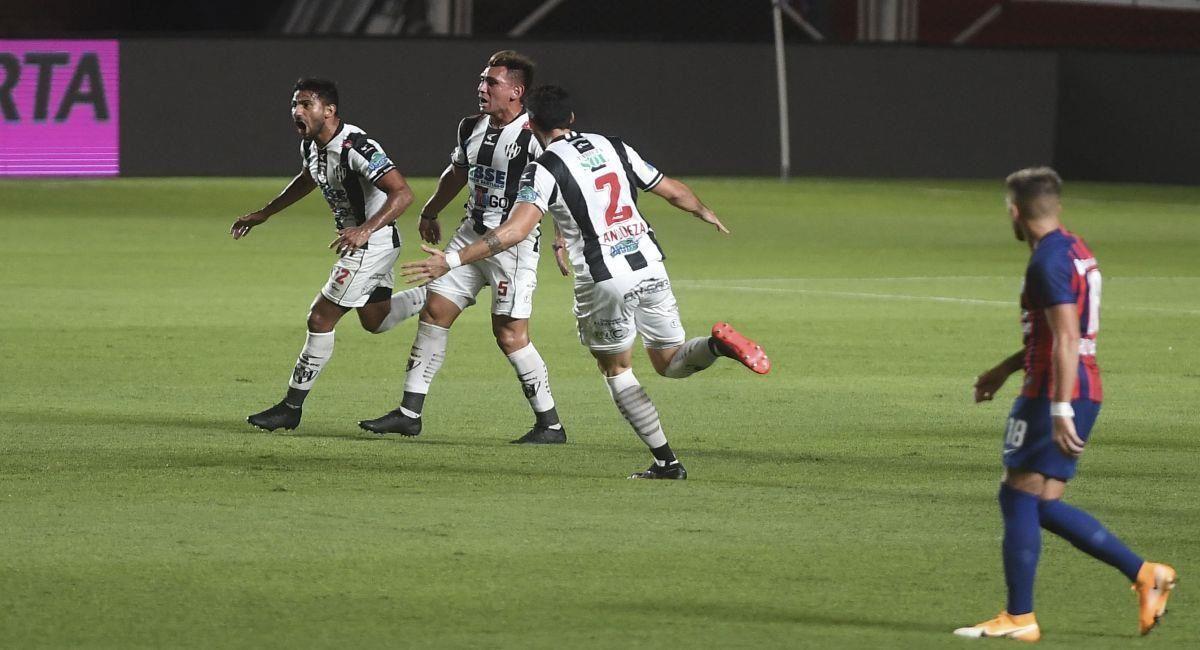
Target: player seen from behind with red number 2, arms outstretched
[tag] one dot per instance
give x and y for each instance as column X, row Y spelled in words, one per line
column 590, row 185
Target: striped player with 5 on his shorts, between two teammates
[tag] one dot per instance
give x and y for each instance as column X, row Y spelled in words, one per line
column 494, row 147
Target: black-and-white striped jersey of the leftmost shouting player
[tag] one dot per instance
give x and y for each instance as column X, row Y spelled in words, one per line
column 346, row 171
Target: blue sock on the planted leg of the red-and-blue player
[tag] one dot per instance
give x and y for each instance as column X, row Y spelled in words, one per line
column 1022, row 547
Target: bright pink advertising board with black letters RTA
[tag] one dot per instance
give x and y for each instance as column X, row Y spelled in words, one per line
column 59, row 109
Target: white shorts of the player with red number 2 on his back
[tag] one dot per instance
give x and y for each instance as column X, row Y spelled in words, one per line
column 611, row 314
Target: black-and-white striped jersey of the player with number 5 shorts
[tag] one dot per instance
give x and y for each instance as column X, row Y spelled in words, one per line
column 494, row 159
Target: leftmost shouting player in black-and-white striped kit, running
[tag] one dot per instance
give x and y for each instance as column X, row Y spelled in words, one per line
column 367, row 194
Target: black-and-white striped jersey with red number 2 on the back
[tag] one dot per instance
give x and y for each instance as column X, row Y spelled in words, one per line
column 590, row 184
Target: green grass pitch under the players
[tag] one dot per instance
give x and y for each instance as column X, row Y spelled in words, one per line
column 845, row 501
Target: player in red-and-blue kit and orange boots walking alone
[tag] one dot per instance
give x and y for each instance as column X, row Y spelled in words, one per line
column 1053, row 418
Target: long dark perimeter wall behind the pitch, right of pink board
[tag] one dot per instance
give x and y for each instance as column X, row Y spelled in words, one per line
column 220, row 107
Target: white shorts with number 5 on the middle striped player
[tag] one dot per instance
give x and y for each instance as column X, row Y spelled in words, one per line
column 513, row 276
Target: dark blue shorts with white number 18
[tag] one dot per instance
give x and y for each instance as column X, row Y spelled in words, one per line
column 1028, row 437
